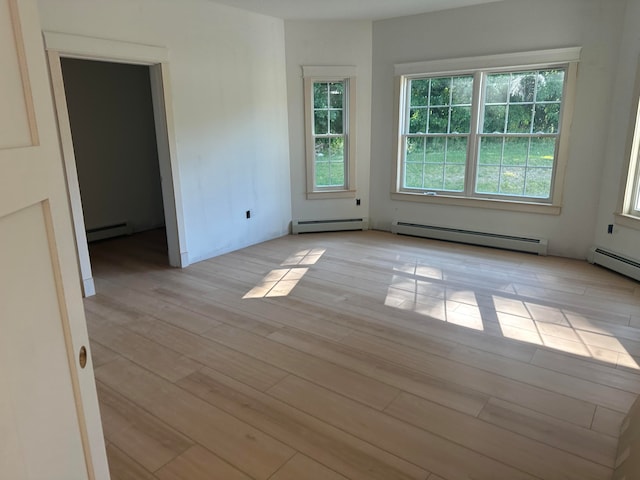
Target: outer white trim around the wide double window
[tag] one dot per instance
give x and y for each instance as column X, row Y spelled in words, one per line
column 568, row 57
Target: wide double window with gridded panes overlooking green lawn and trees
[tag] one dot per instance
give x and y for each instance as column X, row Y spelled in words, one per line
column 484, row 133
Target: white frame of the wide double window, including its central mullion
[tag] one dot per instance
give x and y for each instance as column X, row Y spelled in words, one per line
column 477, row 67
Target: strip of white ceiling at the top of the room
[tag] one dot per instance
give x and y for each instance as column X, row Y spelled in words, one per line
column 346, row 9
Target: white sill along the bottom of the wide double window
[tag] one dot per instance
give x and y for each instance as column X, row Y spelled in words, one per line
column 488, row 203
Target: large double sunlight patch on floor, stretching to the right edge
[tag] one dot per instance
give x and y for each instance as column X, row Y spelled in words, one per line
column 522, row 320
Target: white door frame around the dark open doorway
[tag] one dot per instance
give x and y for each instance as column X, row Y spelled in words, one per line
column 59, row 45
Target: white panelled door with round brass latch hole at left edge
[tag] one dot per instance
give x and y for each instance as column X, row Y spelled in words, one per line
column 49, row 420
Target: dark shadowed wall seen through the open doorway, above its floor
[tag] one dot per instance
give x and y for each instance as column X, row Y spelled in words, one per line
column 111, row 116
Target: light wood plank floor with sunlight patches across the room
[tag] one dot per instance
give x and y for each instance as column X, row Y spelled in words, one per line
column 361, row 356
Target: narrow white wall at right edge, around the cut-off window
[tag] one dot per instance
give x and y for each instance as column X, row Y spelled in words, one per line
column 624, row 240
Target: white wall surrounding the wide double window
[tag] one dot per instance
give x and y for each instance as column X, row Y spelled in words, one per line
column 510, row 26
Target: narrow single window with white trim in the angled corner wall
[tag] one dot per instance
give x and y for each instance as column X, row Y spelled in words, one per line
column 330, row 128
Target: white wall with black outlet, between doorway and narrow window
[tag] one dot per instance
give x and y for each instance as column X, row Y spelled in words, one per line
column 227, row 70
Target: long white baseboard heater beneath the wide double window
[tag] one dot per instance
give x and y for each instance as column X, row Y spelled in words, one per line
column 495, row 240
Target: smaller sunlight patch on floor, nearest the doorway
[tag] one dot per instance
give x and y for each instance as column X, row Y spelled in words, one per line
column 280, row 282
